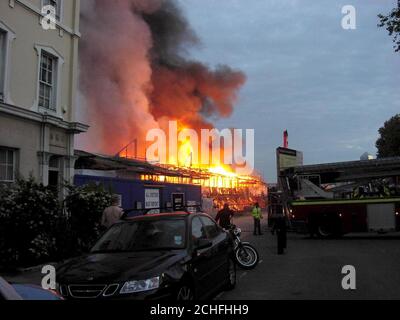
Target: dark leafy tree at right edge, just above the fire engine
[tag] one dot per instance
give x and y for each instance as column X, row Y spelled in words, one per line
column 388, row 144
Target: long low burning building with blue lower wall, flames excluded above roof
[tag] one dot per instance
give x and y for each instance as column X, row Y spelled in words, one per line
column 131, row 179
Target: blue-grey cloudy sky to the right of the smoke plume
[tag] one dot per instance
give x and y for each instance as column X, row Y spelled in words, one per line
column 331, row 88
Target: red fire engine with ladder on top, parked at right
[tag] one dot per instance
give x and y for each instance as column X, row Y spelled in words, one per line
column 337, row 198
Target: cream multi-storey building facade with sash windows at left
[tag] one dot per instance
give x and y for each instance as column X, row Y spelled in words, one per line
column 38, row 90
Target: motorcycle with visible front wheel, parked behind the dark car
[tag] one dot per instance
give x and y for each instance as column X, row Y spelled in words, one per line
column 246, row 255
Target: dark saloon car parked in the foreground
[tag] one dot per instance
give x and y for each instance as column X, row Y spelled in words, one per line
column 172, row 256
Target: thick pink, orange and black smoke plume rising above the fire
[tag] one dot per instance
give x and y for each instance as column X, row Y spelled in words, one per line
column 135, row 73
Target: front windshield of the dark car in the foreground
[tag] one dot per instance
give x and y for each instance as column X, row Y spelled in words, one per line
column 143, row 235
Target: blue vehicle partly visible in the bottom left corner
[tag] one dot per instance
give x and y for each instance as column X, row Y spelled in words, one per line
column 25, row 292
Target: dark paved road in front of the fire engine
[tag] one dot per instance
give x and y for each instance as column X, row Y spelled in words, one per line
column 311, row 268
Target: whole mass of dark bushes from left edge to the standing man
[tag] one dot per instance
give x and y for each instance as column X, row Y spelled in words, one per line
column 36, row 227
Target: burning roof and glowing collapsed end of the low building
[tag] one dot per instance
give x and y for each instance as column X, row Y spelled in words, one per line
column 240, row 191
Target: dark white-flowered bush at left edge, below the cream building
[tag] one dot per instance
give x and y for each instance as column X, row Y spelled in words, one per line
column 29, row 214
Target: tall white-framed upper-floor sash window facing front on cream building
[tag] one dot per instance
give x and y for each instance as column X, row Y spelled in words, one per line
column 47, row 81
